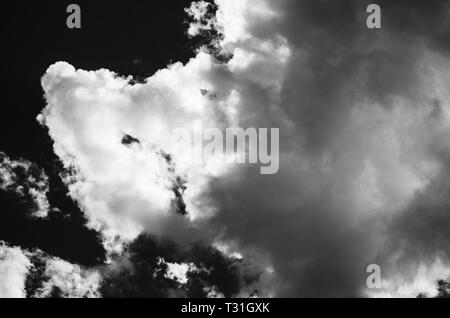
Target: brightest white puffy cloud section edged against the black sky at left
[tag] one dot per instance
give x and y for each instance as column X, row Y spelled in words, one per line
column 128, row 189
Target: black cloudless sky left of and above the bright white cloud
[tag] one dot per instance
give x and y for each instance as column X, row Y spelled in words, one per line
column 131, row 39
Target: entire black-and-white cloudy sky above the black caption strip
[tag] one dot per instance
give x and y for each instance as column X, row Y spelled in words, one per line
column 97, row 197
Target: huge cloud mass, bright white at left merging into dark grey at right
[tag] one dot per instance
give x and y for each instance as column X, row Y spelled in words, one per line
column 364, row 119
